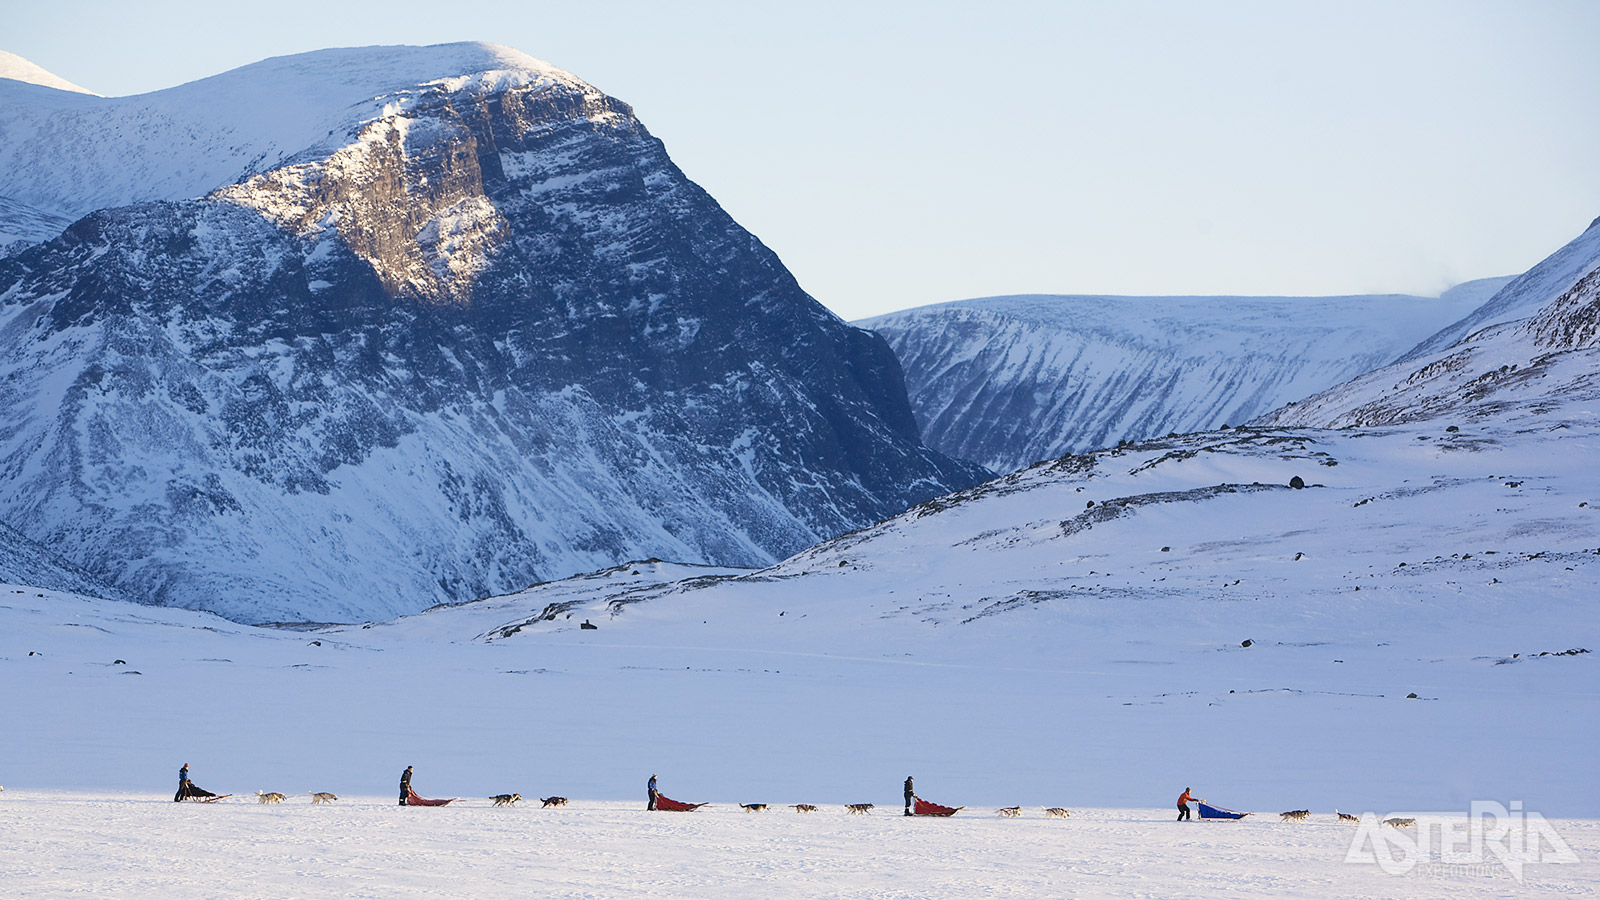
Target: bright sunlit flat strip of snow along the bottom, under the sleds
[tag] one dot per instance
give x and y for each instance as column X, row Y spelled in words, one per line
column 146, row 846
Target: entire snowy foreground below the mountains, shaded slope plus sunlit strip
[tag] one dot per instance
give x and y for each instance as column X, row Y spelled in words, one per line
column 1007, row 646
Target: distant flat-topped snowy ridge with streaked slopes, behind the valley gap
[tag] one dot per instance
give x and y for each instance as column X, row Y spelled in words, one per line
column 1014, row 380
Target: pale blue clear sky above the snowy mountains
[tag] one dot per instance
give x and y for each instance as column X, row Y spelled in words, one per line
column 898, row 155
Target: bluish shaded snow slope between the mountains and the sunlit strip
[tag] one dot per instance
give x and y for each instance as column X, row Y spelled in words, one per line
column 1406, row 632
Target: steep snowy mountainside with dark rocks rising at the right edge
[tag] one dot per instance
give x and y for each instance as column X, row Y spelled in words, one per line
column 1534, row 345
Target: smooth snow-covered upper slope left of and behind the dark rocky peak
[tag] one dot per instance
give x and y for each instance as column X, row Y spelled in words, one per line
column 71, row 153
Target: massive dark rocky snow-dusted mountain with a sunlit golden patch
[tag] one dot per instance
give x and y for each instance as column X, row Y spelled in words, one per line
column 446, row 321
